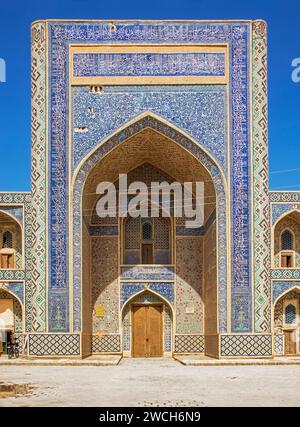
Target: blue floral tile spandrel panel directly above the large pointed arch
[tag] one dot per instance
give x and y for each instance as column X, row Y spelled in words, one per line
column 116, row 106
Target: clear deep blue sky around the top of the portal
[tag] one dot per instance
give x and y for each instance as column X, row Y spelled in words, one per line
column 283, row 42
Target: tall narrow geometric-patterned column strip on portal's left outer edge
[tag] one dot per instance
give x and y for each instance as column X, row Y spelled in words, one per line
column 38, row 175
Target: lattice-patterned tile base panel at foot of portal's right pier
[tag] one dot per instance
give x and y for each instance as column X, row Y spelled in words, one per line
column 246, row 345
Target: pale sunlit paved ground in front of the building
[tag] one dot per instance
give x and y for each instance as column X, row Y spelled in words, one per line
column 156, row 382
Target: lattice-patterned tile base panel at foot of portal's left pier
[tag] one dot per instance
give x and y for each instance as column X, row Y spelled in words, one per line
column 54, row 344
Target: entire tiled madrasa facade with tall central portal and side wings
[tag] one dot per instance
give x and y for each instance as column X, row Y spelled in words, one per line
column 161, row 101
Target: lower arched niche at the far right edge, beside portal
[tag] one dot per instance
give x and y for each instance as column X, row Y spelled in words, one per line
column 287, row 323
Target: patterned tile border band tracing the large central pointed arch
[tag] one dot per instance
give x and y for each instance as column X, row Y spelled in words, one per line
column 190, row 147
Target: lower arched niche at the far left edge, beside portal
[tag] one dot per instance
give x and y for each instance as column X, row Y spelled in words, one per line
column 11, row 318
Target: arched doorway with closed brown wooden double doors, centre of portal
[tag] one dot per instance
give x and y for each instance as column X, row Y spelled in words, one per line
column 147, row 326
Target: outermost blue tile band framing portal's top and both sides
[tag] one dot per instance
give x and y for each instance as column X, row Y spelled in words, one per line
column 61, row 35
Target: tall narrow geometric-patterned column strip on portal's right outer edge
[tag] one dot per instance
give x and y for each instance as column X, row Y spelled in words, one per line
column 261, row 253
